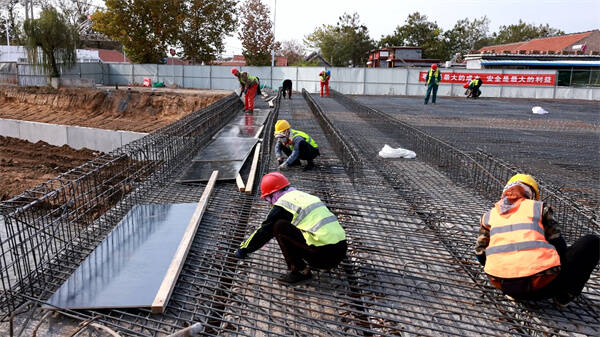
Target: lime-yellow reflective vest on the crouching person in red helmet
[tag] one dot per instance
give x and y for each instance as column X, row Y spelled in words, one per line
column 318, row 225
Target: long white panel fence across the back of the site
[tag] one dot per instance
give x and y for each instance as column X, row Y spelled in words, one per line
column 361, row 81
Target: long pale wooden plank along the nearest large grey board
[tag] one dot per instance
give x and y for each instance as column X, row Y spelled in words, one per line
column 166, row 287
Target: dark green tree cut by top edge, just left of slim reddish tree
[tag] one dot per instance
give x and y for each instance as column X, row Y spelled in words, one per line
column 204, row 28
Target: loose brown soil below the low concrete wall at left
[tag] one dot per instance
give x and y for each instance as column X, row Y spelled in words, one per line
column 24, row 165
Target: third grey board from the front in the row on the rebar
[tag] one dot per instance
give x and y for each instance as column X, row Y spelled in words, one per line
column 226, row 149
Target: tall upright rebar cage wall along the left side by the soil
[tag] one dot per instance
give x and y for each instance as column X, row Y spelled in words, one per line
column 51, row 228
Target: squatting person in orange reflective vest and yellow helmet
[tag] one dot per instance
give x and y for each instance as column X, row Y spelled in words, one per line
column 523, row 252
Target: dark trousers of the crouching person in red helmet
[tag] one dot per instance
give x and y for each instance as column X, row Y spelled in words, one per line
column 297, row 252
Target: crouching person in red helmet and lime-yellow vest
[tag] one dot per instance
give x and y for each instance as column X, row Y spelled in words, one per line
column 308, row 234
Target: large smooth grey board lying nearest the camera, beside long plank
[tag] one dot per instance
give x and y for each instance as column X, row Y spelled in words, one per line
column 127, row 269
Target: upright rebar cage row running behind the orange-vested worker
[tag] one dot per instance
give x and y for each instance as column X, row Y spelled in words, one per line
column 482, row 172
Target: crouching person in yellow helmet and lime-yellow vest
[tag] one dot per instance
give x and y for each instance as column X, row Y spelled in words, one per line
column 295, row 145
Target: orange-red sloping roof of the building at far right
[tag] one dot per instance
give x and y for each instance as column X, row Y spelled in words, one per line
column 554, row 43
